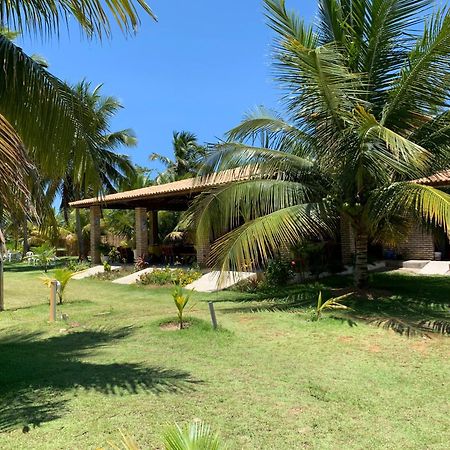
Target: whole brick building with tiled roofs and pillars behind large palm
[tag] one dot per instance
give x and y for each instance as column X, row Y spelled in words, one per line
column 420, row 243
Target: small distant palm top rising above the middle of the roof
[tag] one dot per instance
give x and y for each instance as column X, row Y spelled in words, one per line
column 188, row 154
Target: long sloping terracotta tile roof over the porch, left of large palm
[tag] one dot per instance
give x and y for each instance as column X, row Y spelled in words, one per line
column 182, row 187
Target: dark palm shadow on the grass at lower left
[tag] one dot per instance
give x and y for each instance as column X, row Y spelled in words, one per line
column 37, row 372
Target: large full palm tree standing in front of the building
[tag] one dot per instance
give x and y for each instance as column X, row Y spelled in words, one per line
column 366, row 101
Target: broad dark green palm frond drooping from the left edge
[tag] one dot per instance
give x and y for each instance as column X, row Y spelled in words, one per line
column 46, row 114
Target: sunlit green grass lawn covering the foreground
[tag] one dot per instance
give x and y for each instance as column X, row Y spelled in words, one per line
column 268, row 379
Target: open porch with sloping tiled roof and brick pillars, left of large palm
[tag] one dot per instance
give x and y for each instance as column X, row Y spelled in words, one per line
column 146, row 203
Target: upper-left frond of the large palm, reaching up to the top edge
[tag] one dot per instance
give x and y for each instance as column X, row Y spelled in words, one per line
column 319, row 84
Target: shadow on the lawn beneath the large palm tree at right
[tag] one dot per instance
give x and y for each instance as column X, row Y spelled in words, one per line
column 405, row 304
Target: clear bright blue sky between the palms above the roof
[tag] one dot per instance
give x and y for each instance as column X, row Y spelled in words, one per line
column 199, row 68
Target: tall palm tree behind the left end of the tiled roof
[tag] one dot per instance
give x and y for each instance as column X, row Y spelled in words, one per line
column 107, row 169
